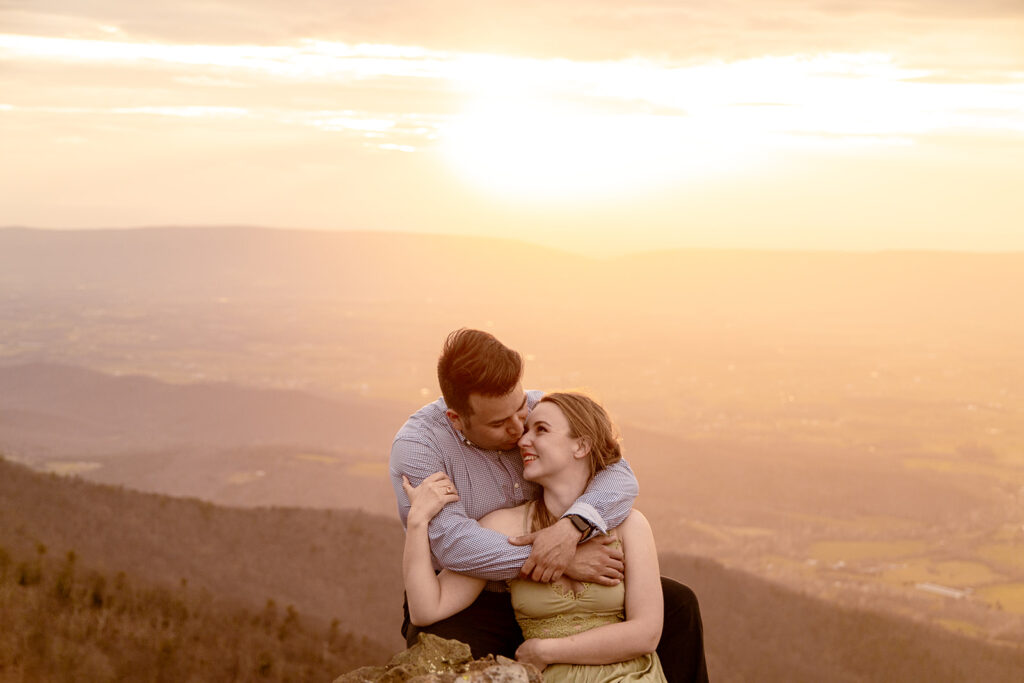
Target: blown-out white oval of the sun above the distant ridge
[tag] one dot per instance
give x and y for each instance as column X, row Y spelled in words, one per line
column 541, row 150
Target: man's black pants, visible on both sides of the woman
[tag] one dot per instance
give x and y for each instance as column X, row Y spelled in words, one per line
column 489, row 627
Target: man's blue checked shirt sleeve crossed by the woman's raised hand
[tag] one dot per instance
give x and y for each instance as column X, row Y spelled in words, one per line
column 457, row 541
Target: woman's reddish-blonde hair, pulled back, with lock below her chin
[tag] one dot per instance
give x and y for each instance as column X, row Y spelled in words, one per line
column 589, row 421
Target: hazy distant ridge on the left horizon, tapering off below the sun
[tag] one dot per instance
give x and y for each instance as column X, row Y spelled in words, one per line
column 242, row 263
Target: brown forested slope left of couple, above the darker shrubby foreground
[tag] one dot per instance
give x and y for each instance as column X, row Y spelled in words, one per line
column 328, row 565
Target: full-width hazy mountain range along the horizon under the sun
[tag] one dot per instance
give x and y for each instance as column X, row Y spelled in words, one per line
column 283, row 266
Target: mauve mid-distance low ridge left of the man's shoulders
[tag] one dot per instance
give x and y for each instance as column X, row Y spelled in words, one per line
column 99, row 414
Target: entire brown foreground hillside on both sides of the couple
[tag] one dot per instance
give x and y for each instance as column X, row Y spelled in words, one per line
column 186, row 587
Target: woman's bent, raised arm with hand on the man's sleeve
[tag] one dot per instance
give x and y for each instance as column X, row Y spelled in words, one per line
column 432, row 597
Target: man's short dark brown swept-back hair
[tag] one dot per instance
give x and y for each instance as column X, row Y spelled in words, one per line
column 475, row 362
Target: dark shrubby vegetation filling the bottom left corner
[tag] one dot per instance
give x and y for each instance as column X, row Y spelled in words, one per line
column 61, row 621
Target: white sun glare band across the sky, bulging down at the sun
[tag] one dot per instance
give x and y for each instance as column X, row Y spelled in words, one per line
column 545, row 131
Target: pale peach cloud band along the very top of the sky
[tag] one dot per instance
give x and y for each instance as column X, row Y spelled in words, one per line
column 928, row 32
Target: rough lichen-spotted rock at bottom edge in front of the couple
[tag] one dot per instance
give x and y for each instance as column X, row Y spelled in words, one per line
column 436, row 660
